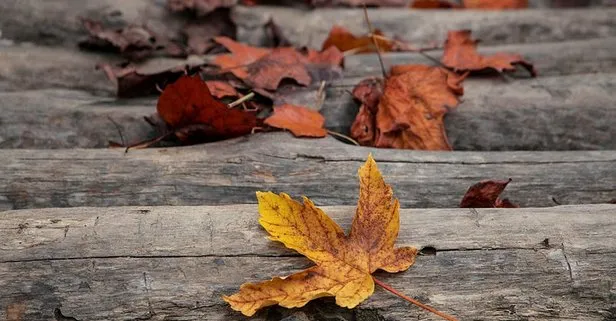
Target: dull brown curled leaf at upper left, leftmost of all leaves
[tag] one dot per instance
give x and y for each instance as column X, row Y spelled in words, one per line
column 133, row 42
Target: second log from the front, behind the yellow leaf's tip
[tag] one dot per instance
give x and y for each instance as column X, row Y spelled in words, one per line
column 230, row 172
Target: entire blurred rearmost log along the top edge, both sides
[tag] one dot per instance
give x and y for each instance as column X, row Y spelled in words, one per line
column 55, row 22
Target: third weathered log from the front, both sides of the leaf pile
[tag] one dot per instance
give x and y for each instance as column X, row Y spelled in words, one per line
column 552, row 113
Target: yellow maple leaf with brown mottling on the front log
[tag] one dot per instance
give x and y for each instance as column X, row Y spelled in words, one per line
column 344, row 264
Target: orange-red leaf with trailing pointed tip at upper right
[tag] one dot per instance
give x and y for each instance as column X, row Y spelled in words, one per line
column 461, row 54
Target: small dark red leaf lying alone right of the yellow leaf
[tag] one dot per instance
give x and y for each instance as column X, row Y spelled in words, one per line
column 485, row 194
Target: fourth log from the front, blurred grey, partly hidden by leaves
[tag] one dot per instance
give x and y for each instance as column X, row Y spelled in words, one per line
column 21, row 66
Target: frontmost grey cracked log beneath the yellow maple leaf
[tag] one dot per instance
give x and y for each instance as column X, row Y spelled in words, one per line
column 171, row 263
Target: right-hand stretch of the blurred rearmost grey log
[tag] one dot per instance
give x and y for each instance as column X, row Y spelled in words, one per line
column 421, row 26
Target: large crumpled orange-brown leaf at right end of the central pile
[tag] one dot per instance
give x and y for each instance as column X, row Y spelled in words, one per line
column 410, row 112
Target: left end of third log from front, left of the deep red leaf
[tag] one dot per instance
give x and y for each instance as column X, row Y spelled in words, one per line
column 61, row 118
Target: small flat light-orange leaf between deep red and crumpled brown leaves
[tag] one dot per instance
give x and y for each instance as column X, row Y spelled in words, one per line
column 301, row 121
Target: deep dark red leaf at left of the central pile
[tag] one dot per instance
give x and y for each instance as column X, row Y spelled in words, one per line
column 188, row 102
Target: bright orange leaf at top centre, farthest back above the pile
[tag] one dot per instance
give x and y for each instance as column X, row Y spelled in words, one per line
column 344, row 40
